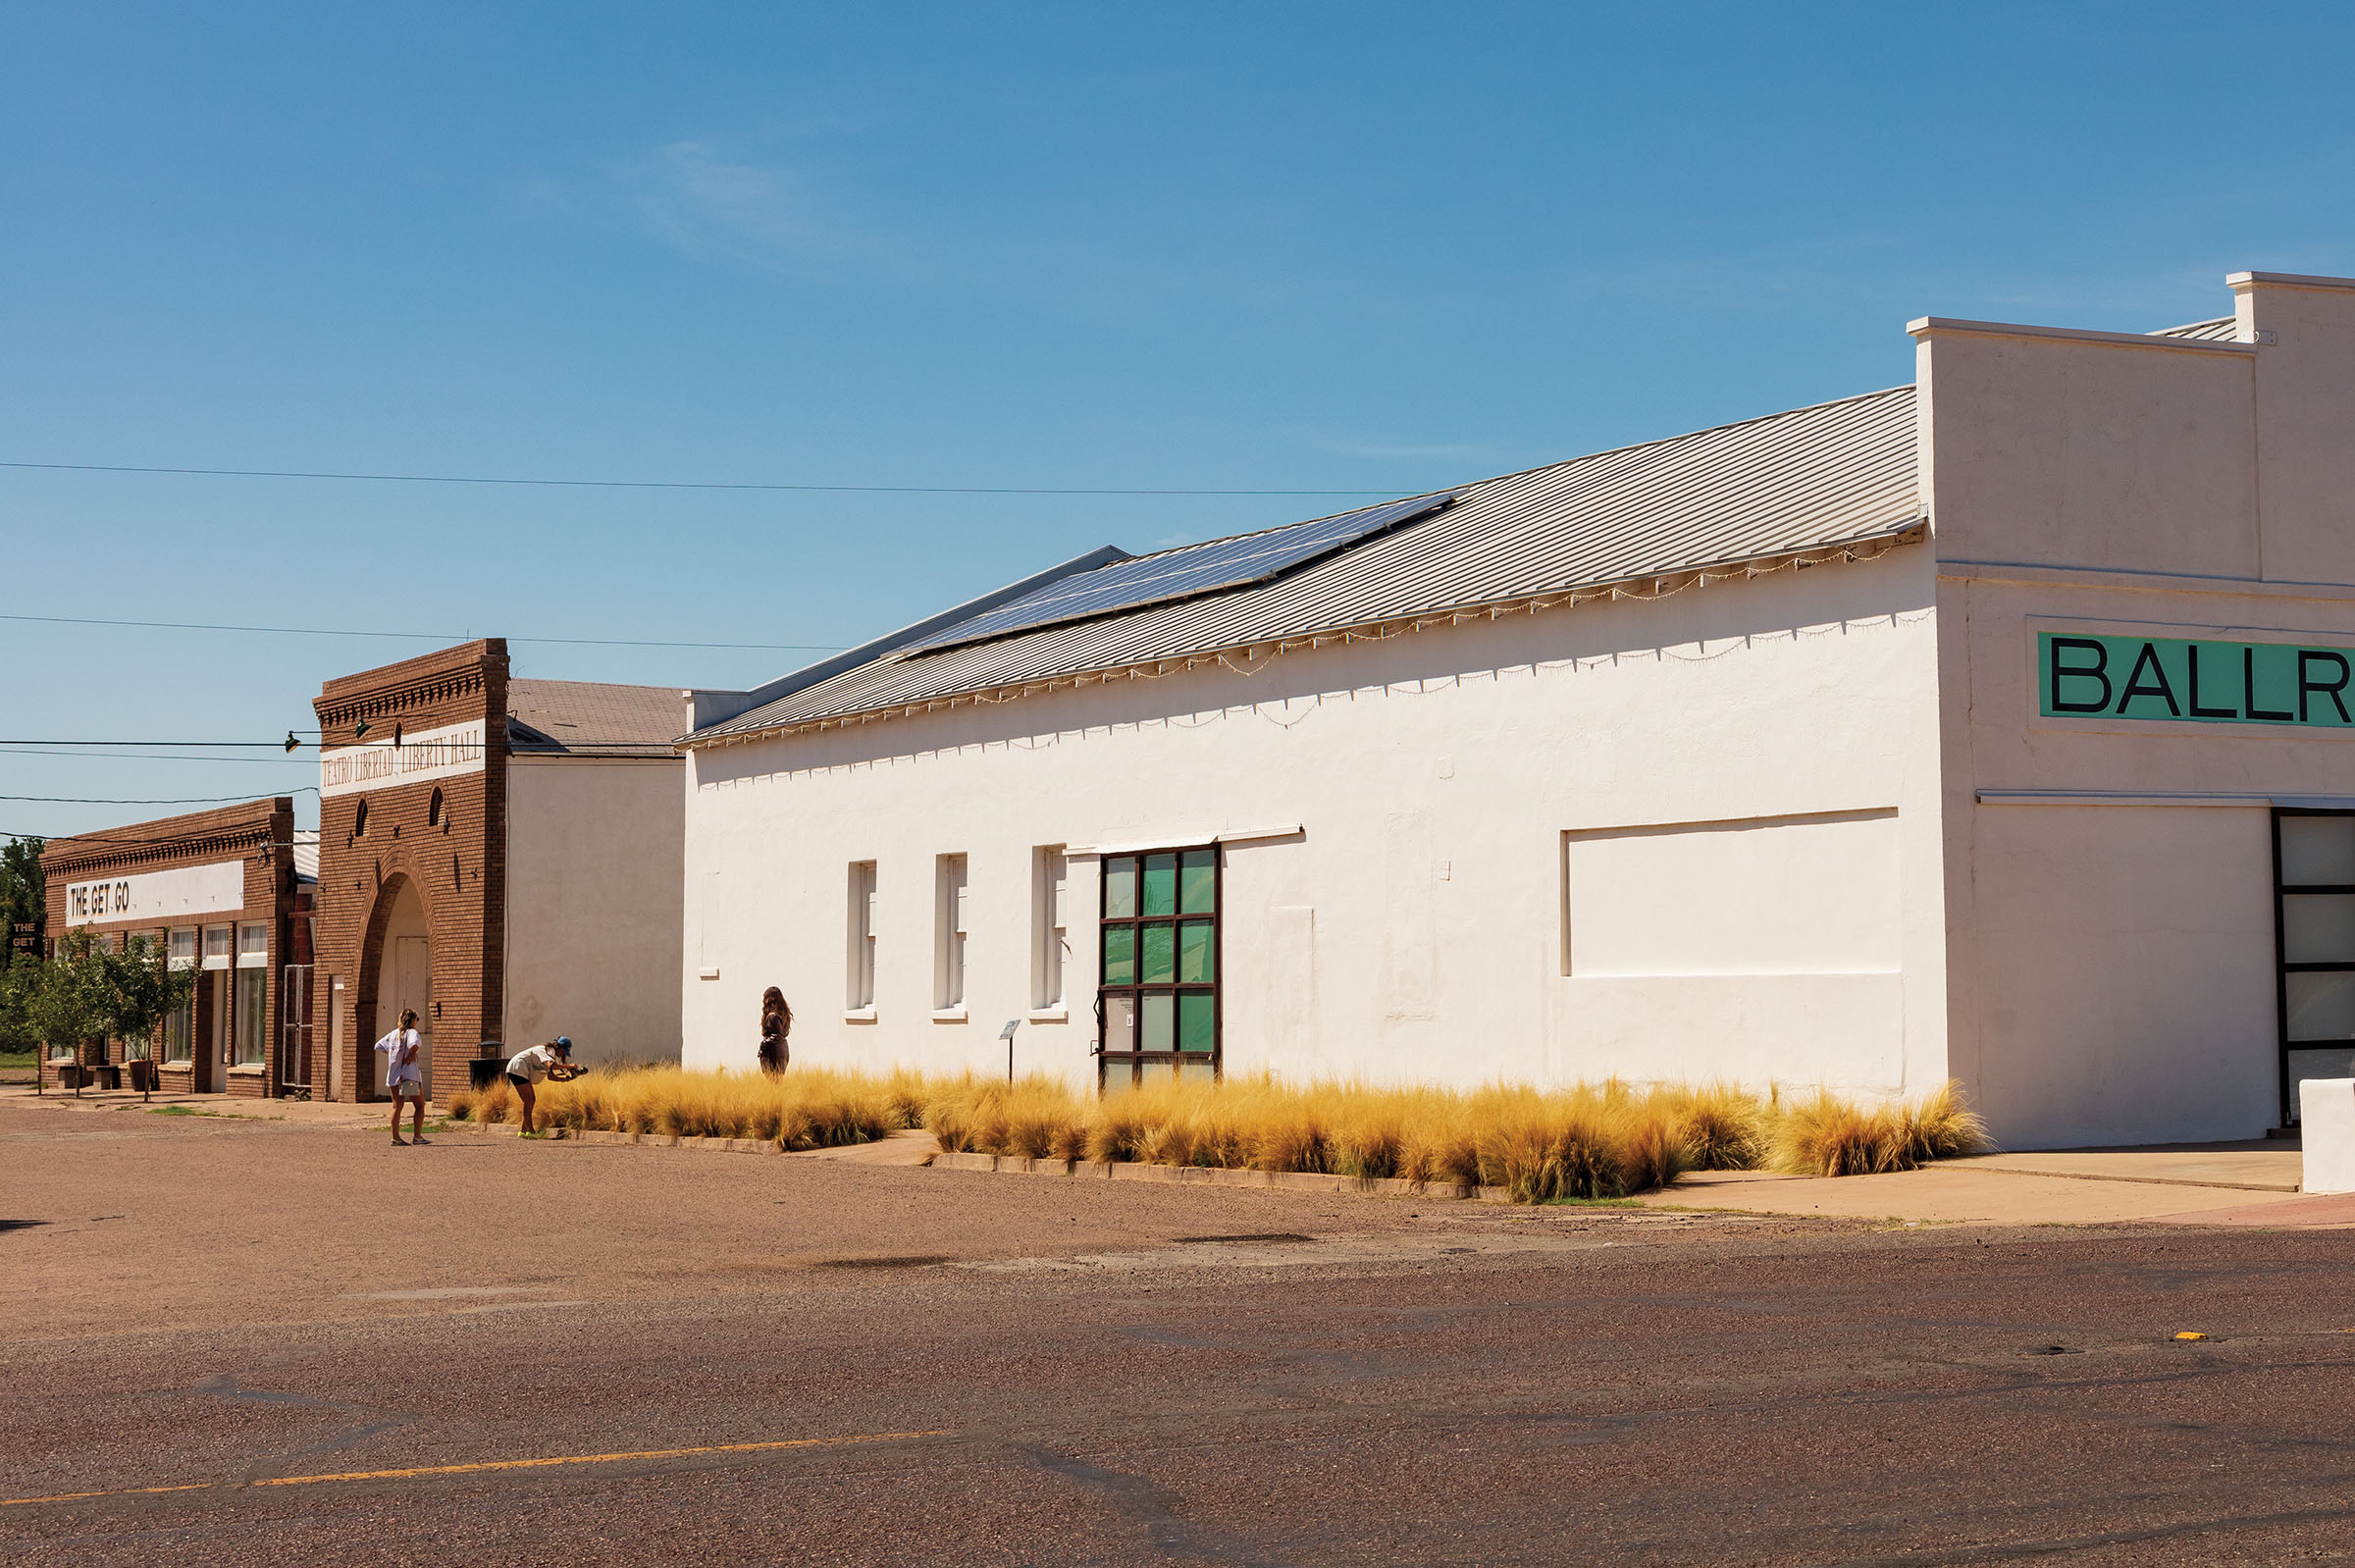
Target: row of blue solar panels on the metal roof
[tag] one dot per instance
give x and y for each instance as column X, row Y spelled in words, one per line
column 1188, row 573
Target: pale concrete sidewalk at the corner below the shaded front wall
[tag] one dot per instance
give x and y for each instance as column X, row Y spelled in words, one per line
column 2238, row 1185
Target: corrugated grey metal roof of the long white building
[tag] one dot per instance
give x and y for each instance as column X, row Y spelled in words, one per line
column 1807, row 479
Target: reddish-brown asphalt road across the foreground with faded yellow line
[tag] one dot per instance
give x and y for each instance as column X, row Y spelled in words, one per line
column 818, row 1362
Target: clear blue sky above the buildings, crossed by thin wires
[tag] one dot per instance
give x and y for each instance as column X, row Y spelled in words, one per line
column 1190, row 248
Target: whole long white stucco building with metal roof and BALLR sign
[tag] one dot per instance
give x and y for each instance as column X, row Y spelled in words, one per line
column 1991, row 729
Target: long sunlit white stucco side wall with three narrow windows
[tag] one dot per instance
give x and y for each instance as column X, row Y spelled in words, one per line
column 1414, row 926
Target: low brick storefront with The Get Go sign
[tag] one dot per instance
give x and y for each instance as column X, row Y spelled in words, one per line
column 227, row 898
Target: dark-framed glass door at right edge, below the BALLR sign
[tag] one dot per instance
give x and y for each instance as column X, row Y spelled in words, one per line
column 2314, row 889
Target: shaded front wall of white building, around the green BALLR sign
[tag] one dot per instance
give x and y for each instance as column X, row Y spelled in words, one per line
column 2114, row 957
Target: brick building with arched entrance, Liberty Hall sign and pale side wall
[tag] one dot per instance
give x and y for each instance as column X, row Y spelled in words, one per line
column 500, row 856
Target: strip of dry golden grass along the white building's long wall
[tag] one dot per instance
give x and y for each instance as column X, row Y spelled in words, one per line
column 1539, row 1145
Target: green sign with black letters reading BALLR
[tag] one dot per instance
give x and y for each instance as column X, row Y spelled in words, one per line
column 2220, row 684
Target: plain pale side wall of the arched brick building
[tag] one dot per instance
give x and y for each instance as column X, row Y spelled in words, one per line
column 592, row 917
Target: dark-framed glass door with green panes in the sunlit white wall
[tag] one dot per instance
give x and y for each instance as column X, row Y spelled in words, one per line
column 1157, row 1002
